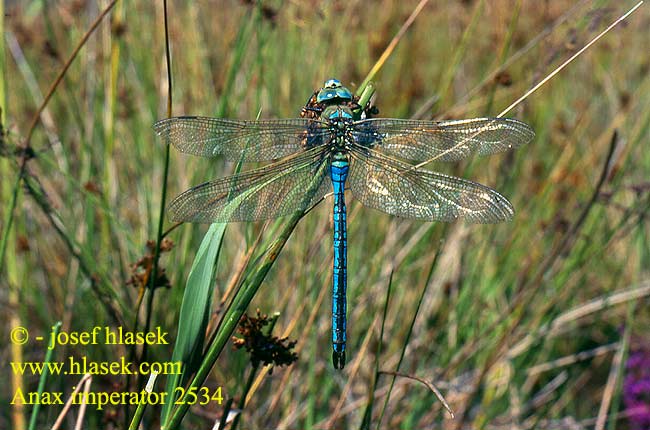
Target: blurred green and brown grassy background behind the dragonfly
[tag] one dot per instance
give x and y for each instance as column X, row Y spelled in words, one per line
column 520, row 325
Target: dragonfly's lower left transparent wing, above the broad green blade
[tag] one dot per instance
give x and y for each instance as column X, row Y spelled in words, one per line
column 279, row 189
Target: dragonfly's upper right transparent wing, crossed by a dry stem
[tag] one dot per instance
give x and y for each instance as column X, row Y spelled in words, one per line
column 441, row 140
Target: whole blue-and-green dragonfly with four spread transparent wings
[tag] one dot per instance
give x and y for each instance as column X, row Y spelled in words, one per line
column 335, row 146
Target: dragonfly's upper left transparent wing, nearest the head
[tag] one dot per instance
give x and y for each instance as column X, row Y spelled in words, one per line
column 241, row 140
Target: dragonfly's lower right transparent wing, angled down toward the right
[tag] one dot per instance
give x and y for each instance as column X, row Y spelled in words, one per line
column 394, row 187
